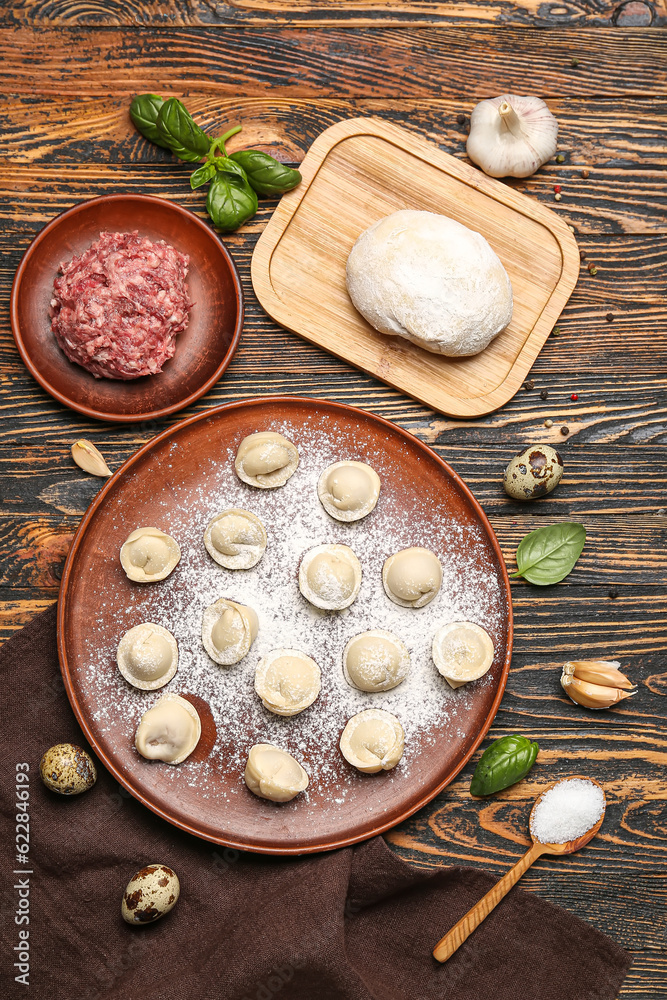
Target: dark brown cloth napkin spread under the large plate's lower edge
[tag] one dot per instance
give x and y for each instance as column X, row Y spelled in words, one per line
column 353, row 924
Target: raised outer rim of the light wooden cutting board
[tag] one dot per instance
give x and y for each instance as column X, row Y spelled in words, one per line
column 438, row 399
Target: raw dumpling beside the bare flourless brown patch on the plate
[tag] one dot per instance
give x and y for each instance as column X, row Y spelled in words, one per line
column 168, row 731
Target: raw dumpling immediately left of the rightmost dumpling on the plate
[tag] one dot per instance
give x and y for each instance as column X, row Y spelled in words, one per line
column 375, row 661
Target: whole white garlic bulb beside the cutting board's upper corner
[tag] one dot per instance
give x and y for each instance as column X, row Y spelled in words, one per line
column 511, row 136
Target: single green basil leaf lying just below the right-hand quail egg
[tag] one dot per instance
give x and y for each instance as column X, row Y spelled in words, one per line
column 548, row 554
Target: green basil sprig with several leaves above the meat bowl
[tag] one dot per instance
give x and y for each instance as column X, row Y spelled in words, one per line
column 235, row 180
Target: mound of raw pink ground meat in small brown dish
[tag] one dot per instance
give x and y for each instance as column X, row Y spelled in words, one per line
column 117, row 308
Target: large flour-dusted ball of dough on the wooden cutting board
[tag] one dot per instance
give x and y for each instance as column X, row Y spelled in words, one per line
column 427, row 278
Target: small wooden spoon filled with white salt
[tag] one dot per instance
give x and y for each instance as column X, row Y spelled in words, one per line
column 453, row 940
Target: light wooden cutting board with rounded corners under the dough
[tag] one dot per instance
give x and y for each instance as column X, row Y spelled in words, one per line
column 362, row 169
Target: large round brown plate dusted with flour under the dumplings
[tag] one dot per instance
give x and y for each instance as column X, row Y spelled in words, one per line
column 178, row 482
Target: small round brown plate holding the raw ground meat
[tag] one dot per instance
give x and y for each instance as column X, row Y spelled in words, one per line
column 203, row 350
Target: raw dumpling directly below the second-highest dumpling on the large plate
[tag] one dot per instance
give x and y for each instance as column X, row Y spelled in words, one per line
column 330, row 576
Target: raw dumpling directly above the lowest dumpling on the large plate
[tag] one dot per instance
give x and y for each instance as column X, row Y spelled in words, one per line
column 287, row 681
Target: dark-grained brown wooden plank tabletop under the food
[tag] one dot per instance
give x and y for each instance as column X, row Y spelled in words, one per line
column 286, row 71
